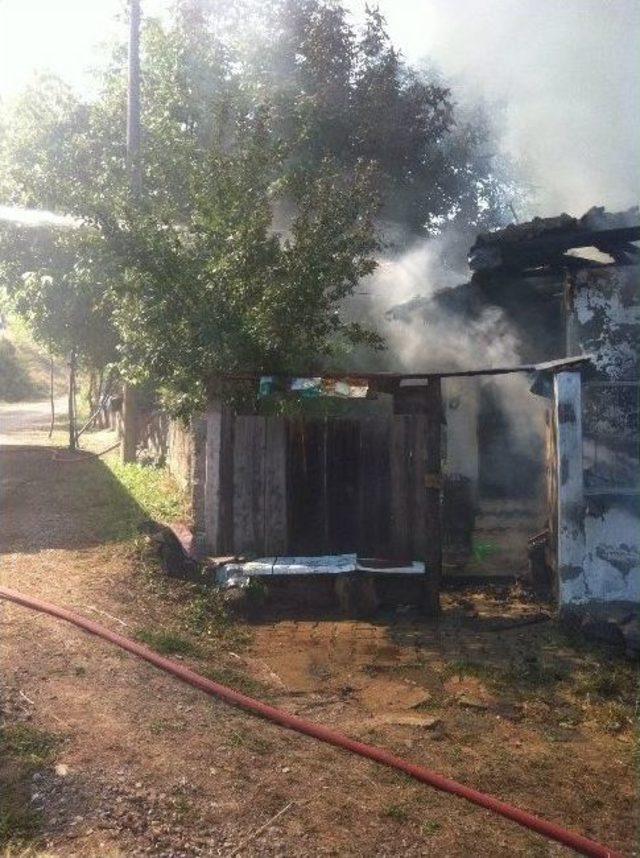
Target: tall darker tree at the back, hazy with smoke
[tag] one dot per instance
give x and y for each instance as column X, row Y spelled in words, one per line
column 335, row 91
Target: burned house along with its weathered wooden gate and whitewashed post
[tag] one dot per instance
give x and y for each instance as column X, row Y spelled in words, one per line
column 397, row 479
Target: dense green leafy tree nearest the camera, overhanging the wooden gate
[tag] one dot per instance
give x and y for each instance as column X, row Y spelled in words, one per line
column 226, row 293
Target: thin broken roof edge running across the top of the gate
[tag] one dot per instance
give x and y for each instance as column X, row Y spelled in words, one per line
column 546, row 366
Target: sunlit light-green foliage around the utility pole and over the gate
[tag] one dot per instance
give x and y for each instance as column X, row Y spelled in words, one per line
column 201, row 282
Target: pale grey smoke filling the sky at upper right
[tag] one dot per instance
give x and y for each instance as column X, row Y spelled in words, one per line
column 566, row 73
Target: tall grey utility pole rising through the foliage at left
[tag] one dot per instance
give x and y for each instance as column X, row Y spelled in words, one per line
column 128, row 449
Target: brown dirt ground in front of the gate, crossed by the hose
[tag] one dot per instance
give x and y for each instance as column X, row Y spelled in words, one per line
column 141, row 765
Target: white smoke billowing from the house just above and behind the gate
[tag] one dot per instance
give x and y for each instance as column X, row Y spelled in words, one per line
column 422, row 335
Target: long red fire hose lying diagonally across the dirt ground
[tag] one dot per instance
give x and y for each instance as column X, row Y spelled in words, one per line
column 554, row 832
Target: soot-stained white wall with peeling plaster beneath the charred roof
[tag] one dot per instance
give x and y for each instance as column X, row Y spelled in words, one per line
column 604, row 320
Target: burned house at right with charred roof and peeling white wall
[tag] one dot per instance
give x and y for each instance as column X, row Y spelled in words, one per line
column 570, row 287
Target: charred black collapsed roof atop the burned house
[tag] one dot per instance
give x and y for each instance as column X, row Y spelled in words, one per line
column 547, row 243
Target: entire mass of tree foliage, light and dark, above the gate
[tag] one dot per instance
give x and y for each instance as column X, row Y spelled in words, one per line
column 278, row 143
